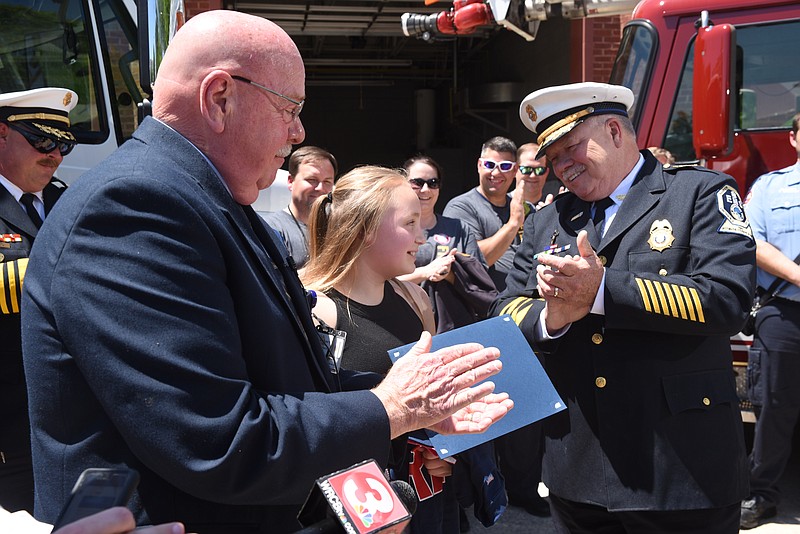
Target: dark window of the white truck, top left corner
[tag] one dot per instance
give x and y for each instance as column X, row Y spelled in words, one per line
column 45, row 44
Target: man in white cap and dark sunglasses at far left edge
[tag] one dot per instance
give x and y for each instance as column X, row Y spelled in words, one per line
column 34, row 138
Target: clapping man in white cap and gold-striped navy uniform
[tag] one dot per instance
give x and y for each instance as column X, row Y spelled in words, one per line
column 629, row 286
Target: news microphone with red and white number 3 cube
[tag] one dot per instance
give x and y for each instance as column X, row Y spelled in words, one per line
column 358, row 500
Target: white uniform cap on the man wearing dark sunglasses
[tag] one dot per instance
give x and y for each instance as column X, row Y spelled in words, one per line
column 45, row 110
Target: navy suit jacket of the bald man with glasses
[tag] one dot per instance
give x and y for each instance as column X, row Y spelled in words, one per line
column 171, row 342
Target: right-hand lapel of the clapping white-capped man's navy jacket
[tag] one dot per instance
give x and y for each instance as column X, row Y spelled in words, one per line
column 641, row 197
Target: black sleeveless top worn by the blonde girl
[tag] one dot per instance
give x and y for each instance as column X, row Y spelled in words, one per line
column 373, row 330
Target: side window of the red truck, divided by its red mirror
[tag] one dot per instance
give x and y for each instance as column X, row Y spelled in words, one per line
column 767, row 80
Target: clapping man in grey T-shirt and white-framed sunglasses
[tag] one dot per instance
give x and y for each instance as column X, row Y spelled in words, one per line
column 494, row 216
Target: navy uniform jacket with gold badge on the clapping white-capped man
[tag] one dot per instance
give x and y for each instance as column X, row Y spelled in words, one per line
column 653, row 420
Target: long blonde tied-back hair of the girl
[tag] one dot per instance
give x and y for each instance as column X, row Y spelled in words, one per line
column 343, row 223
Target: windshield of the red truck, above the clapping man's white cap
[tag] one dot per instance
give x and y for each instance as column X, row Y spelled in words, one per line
column 633, row 61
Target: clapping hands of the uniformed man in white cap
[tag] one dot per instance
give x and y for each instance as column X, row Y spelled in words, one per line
column 569, row 284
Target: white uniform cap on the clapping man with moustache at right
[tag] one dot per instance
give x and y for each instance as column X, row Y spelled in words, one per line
column 553, row 112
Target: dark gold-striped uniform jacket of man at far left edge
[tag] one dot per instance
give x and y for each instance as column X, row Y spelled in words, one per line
column 15, row 247
